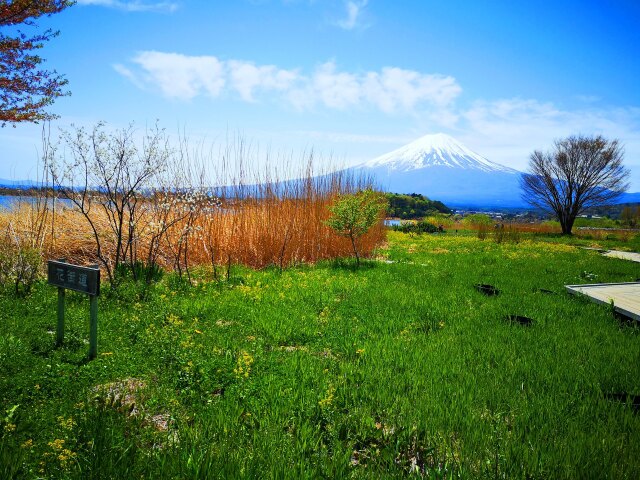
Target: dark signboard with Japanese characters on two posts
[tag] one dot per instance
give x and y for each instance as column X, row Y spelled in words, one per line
column 81, row 279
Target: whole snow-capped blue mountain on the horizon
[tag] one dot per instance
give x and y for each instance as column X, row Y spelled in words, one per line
column 441, row 168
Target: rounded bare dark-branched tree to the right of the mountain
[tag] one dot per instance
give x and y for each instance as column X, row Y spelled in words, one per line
column 580, row 172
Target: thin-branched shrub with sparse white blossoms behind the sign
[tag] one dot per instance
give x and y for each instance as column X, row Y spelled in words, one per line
column 106, row 178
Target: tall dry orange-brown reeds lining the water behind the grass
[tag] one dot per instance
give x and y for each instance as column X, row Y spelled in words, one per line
column 197, row 214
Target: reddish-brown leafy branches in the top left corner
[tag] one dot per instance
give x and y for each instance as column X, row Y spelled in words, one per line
column 26, row 89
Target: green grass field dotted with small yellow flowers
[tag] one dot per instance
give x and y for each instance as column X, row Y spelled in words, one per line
column 392, row 370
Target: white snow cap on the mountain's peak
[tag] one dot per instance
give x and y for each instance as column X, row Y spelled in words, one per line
column 437, row 150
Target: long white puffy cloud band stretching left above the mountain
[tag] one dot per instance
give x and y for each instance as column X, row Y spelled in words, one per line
column 390, row 90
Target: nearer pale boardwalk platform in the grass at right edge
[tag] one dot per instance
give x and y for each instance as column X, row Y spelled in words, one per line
column 625, row 296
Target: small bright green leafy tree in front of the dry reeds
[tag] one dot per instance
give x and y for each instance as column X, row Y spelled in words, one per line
column 353, row 215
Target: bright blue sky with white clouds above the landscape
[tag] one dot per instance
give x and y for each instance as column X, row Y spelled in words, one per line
column 351, row 79
